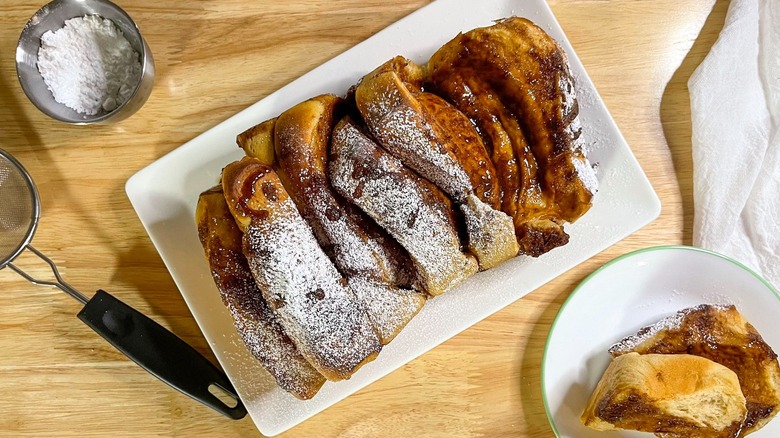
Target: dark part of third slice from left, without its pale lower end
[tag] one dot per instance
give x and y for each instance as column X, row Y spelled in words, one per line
column 356, row 244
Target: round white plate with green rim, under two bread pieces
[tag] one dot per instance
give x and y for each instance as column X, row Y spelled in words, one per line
column 629, row 293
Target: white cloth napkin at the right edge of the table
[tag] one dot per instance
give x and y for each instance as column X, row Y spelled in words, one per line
column 735, row 111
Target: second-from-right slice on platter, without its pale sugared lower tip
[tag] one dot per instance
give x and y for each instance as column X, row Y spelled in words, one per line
column 425, row 132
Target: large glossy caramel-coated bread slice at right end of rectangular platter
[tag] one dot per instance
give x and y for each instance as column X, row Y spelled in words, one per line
column 512, row 80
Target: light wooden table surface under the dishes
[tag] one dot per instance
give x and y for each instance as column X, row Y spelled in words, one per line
column 216, row 57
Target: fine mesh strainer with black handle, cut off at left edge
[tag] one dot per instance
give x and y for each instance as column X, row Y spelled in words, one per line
column 144, row 341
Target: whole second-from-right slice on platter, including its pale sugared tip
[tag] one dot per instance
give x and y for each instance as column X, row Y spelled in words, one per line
column 435, row 139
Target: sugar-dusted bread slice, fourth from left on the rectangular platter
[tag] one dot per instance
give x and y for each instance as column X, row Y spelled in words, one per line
column 396, row 199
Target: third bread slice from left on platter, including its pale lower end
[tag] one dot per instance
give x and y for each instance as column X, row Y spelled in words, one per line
column 376, row 267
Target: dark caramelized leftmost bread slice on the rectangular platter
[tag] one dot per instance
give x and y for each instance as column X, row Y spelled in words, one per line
column 255, row 322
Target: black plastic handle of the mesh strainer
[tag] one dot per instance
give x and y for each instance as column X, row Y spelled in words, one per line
column 159, row 351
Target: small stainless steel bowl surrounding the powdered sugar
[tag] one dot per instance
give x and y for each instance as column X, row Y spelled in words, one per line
column 53, row 17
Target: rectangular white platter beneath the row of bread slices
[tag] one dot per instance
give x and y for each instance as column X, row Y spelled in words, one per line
column 164, row 195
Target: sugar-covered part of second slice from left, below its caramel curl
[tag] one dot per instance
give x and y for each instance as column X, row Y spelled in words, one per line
column 308, row 294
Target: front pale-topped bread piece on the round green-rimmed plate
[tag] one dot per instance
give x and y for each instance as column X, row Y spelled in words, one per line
column 667, row 394
